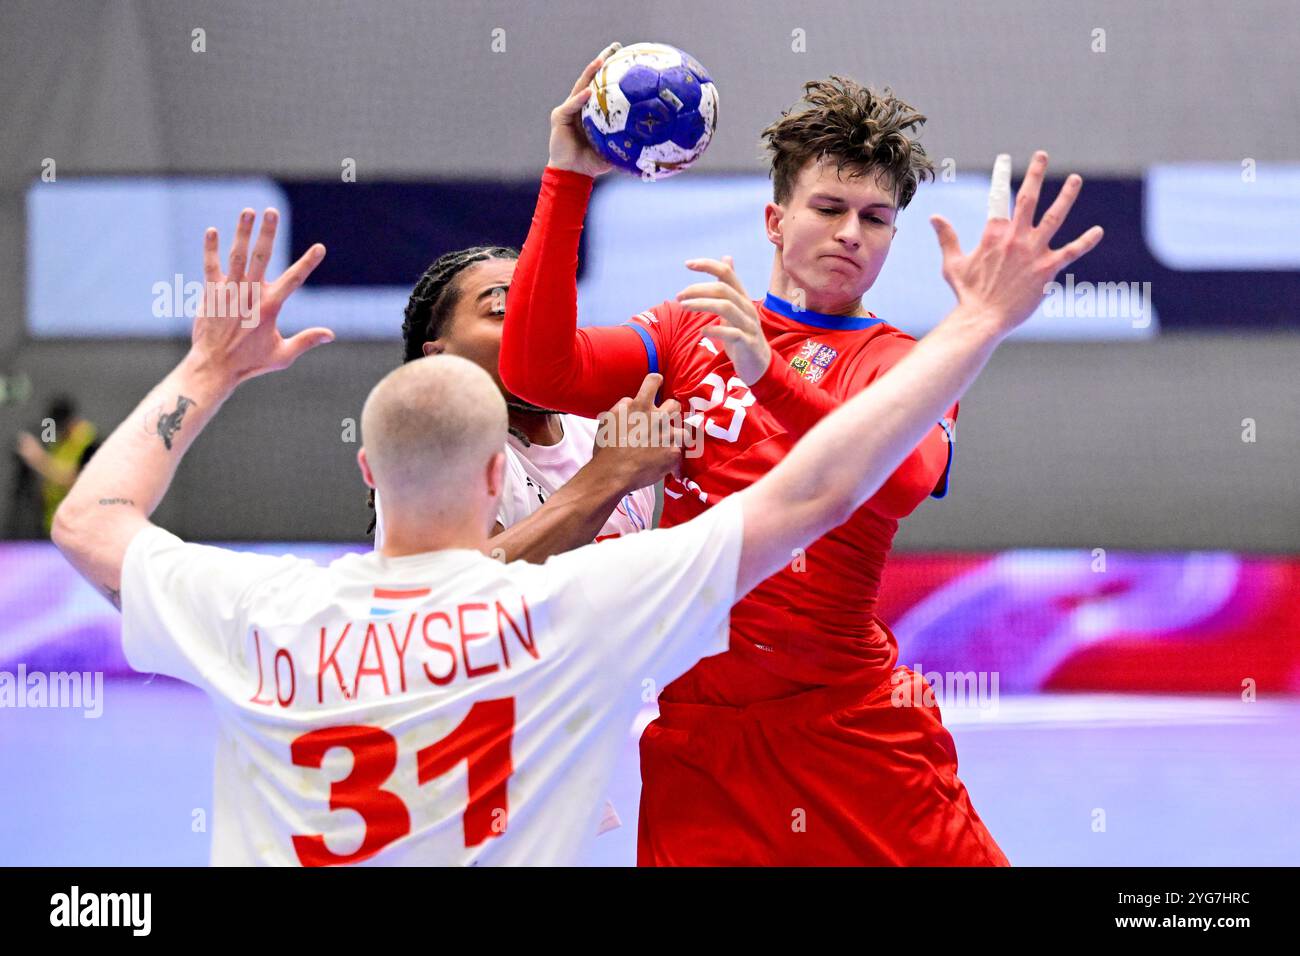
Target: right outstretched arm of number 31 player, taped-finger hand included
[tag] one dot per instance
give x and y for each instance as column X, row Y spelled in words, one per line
column 847, row 457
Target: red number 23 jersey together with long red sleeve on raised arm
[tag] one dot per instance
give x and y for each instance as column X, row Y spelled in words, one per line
column 812, row 625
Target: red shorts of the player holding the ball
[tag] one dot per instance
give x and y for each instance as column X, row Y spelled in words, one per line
column 834, row 777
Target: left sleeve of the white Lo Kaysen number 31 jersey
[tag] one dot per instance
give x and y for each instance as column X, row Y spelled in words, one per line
column 185, row 605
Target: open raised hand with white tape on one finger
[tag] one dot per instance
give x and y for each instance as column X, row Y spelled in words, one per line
column 1004, row 278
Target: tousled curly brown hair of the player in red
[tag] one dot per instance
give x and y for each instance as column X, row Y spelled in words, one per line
column 860, row 128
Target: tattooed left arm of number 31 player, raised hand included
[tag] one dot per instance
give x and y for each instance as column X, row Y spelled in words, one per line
column 235, row 339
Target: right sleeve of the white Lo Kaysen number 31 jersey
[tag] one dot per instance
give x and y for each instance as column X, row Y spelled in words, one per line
column 652, row 604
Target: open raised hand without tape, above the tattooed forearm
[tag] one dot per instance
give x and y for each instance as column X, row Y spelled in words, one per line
column 235, row 331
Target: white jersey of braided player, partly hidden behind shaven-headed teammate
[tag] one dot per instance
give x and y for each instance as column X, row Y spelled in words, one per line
column 535, row 473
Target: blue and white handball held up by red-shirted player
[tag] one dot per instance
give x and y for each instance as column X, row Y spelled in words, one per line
column 652, row 111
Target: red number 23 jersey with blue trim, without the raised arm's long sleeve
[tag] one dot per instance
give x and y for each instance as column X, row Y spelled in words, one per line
column 813, row 624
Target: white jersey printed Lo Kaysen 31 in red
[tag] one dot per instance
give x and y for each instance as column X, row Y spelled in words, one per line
column 434, row 710
